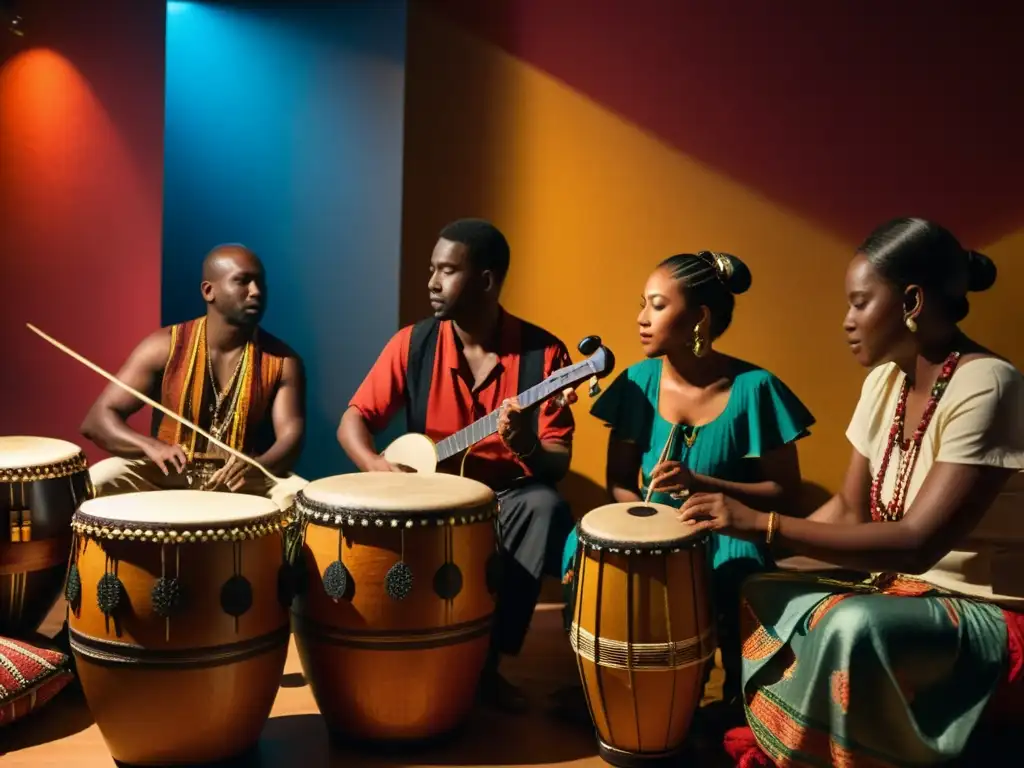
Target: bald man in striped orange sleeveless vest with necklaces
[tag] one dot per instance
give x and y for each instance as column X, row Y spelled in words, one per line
column 223, row 373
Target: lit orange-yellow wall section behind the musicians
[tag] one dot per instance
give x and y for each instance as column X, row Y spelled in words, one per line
column 591, row 201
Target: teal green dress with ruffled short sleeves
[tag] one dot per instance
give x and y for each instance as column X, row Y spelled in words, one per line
column 762, row 414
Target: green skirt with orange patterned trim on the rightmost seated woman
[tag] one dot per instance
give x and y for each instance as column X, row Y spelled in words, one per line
column 888, row 673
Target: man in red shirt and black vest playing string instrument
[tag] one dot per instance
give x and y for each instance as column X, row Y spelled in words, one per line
column 451, row 370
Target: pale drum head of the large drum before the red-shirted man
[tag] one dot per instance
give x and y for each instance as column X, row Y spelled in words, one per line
column 396, row 496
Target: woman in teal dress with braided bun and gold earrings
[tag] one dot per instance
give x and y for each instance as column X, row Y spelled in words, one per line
column 723, row 424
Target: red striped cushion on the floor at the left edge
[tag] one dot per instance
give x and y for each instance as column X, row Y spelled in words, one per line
column 30, row 677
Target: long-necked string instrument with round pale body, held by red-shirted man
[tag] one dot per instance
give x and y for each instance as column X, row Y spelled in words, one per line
column 419, row 453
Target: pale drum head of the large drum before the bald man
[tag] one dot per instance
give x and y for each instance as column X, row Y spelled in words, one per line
column 173, row 510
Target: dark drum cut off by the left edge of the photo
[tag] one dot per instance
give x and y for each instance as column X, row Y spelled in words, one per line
column 42, row 482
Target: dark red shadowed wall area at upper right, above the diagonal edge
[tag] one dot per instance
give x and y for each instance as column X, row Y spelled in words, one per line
column 707, row 79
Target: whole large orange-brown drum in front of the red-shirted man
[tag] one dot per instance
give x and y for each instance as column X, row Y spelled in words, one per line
column 394, row 620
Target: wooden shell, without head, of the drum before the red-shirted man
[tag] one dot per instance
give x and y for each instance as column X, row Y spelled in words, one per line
column 388, row 670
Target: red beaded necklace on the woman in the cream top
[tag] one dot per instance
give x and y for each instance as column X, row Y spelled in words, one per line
column 909, row 449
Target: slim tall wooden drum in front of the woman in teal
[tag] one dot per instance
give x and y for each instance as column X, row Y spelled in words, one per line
column 643, row 629
